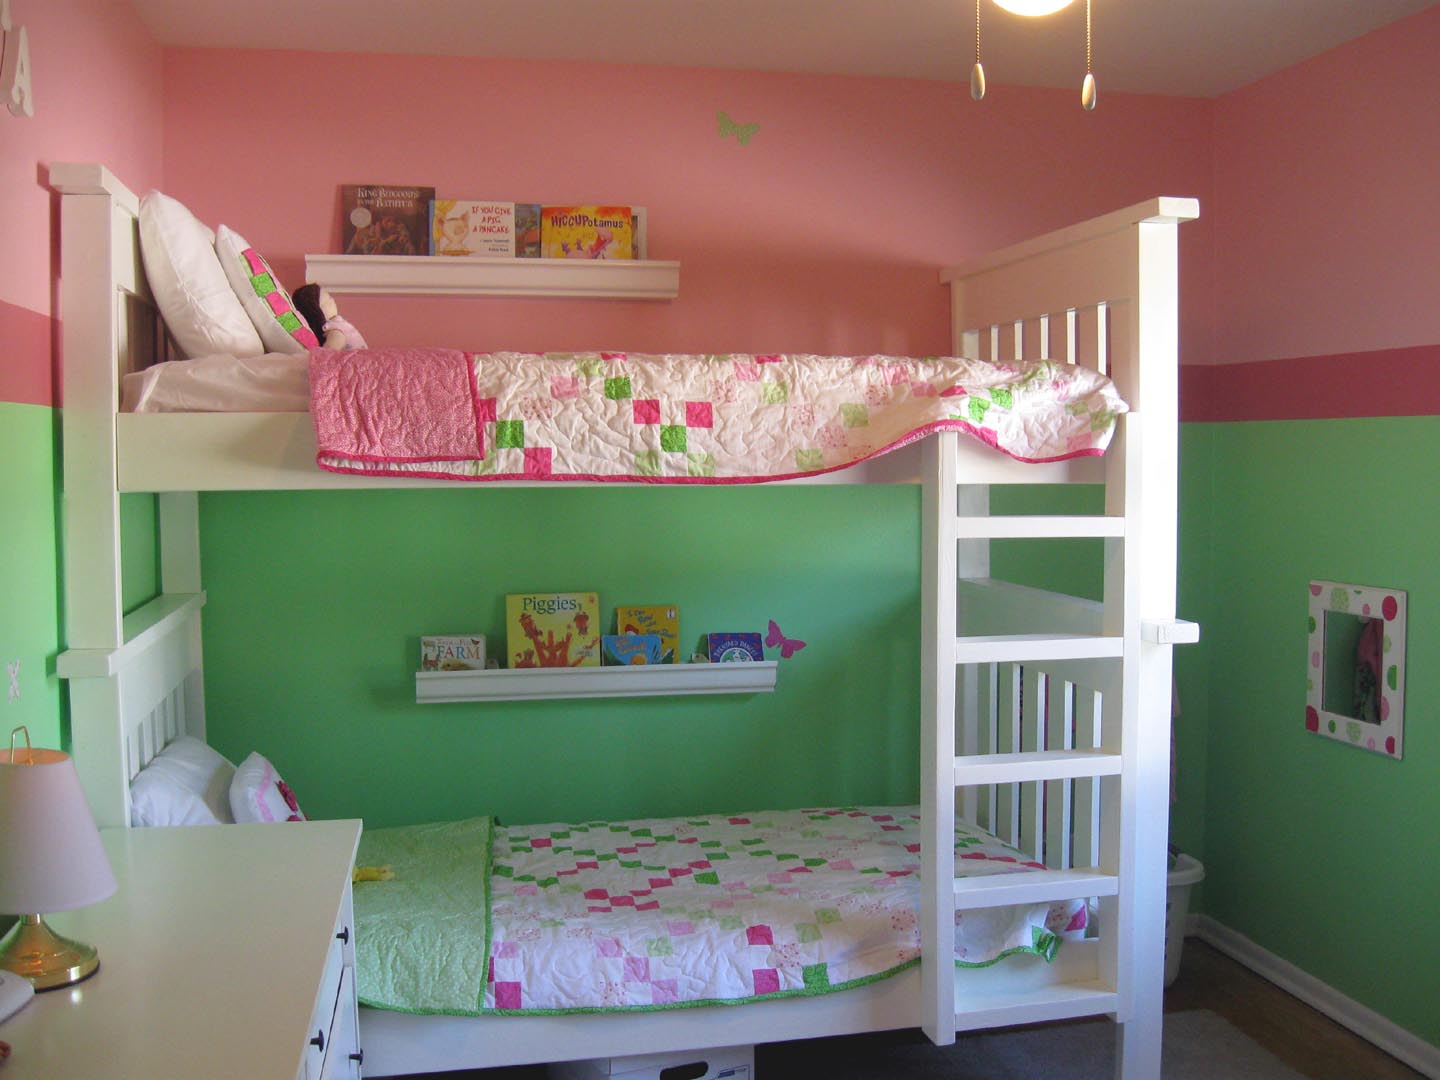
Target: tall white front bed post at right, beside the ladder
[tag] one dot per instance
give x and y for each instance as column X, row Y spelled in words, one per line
column 1143, row 485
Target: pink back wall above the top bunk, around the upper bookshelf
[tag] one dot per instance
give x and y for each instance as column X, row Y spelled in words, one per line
column 824, row 234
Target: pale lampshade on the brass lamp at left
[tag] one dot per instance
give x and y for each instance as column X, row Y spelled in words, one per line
column 51, row 858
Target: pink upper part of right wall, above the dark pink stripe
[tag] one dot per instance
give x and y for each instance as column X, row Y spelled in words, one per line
column 1327, row 217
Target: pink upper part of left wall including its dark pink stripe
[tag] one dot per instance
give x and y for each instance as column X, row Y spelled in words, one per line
column 97, row 83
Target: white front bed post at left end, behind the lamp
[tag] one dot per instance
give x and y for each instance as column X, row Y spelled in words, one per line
column 90, row 329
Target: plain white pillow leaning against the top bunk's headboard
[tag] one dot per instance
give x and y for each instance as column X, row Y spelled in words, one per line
column 191, row 287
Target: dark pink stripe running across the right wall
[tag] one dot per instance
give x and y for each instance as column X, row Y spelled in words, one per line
column 1389, row 382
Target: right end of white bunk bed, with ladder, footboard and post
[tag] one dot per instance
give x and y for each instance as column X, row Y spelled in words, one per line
column 1065, row 739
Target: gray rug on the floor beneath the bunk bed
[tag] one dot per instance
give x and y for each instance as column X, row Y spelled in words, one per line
column 1199, row 1046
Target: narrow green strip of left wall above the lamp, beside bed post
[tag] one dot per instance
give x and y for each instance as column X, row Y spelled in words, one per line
column 30, row 597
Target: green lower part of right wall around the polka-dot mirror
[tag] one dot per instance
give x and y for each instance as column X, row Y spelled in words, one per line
column 1323, row 853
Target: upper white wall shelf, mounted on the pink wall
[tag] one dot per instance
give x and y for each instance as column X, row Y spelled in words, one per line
column 479, row 277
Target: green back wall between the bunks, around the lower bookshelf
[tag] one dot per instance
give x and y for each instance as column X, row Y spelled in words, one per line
column 319, row 600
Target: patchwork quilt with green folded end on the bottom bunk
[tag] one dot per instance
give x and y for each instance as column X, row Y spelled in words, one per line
column 666, row 914
